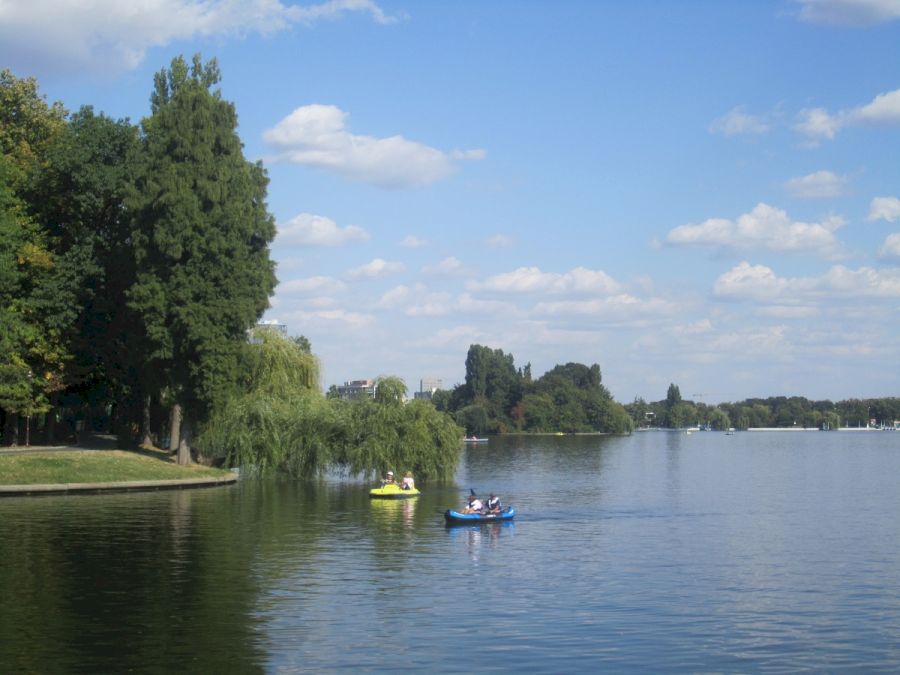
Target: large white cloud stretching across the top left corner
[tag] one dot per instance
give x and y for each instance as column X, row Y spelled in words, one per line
column 114, row 36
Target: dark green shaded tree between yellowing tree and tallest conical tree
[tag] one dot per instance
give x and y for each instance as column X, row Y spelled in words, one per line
column 78, row 194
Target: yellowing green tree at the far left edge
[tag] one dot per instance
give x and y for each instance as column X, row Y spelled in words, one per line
column 35, row 300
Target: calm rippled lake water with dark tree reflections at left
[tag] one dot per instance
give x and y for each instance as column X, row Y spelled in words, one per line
column 659, row 552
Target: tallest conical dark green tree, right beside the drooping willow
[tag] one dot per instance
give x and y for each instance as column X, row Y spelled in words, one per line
column 201, row 242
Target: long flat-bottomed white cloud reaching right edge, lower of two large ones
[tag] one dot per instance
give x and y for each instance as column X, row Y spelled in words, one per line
column 760, row 283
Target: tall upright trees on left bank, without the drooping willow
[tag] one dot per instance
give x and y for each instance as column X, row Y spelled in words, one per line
column 133, row 258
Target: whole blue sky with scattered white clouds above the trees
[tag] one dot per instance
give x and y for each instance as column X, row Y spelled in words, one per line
column 698, row 192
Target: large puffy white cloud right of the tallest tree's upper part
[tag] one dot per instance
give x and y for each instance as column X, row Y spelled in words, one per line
column 316, row 135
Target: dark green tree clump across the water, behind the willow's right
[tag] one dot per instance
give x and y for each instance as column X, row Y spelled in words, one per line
column 496, row 397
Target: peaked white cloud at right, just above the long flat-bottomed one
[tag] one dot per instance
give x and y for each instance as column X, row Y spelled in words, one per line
column 765, row 227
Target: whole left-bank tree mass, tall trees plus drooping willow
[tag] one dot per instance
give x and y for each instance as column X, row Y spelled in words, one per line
column 134, row 263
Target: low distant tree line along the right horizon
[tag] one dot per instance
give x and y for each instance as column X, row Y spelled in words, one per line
column 776, row 411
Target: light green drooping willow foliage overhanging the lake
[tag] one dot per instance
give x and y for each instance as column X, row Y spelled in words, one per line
column 279, row 423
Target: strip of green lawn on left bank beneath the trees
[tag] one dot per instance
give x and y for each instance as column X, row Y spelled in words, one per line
column 93, row 467
